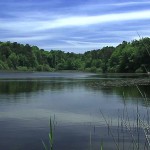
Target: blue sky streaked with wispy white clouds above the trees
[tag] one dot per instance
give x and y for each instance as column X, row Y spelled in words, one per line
column 73, row 25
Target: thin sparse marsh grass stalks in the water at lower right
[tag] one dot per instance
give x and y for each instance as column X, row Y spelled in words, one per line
column 137, row 129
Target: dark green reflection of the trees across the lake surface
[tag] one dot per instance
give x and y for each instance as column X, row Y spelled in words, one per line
column 30, row 87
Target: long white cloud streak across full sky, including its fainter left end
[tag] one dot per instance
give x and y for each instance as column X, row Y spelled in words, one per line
column 30, row 25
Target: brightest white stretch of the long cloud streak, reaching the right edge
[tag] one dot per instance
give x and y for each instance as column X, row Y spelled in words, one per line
column 99, row 19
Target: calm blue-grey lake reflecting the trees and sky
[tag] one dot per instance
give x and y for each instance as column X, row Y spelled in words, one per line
column 87, row 110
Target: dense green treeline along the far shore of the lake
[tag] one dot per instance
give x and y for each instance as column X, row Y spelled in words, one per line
column 126, row 57
